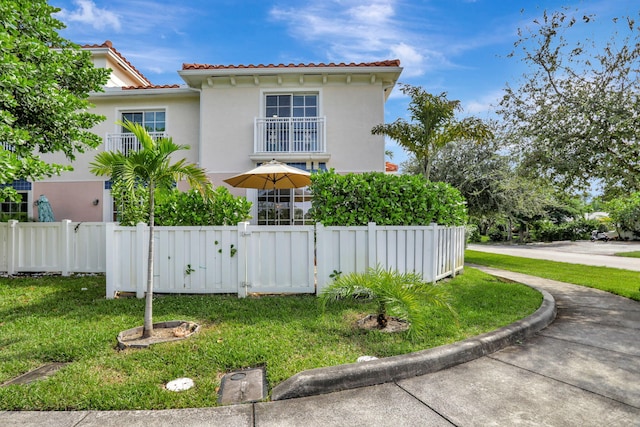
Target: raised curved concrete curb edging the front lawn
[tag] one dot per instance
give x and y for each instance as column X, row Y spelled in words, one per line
column 390, row 369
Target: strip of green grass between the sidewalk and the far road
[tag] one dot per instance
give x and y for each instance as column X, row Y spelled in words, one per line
column 614, row 280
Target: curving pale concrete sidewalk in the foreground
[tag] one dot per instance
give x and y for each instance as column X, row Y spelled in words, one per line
column 582, row 370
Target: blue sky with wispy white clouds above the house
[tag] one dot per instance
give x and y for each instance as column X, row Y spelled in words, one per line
column 454, row 46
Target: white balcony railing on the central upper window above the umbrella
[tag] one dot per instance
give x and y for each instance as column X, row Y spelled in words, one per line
column 289, row 135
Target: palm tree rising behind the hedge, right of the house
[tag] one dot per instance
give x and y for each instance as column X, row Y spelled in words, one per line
column 433, row 124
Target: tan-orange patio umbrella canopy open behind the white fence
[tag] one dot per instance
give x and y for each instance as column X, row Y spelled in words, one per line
column 270, row 176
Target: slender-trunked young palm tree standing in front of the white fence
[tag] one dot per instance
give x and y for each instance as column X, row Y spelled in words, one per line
column 150, row 166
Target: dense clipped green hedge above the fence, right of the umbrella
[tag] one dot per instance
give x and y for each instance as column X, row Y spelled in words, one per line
column 357, row 199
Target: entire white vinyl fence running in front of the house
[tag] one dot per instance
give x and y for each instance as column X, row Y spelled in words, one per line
column 240, row 259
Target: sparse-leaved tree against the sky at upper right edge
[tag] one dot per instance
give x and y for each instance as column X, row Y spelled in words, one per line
column 576, row 115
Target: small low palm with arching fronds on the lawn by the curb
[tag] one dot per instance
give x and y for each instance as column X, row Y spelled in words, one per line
column 403, row 295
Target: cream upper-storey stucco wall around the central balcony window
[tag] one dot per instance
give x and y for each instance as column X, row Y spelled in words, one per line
column 228, row 114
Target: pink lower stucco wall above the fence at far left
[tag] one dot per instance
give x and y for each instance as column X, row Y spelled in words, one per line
column 72, row 200
